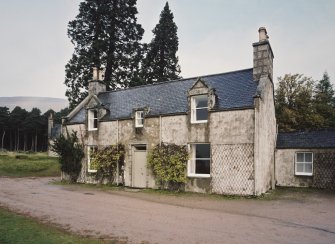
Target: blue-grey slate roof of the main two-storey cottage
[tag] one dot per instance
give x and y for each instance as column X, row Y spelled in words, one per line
column 235, row 90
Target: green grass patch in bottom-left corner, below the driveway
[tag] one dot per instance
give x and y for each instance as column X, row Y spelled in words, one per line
column 18, row 229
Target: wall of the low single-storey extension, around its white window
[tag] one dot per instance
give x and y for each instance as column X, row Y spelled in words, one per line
column 323, row 169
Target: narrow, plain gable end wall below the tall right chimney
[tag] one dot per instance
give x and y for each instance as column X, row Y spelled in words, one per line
column 265, row 136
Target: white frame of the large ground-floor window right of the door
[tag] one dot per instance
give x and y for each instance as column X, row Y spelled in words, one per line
column 191, row 165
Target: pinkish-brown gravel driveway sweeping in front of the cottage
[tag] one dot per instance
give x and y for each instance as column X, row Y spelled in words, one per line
column 137, row 217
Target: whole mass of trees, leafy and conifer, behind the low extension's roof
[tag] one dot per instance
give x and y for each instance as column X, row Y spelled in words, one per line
column 301, row 105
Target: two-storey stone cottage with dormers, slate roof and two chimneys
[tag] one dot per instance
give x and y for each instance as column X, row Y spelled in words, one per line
column 227, row 121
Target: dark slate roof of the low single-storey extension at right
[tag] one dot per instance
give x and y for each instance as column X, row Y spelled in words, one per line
column 324, row 138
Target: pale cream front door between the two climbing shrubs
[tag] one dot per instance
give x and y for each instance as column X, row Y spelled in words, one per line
column 139, row 167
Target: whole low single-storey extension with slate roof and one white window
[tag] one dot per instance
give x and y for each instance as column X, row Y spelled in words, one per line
column 306, row 159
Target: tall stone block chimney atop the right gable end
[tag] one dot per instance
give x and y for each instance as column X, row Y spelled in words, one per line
column 263, row 56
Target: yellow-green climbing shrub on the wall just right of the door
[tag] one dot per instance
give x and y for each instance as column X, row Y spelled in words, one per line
column 168, row 163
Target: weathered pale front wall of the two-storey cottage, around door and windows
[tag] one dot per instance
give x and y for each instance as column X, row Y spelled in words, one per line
column 223, row 128
